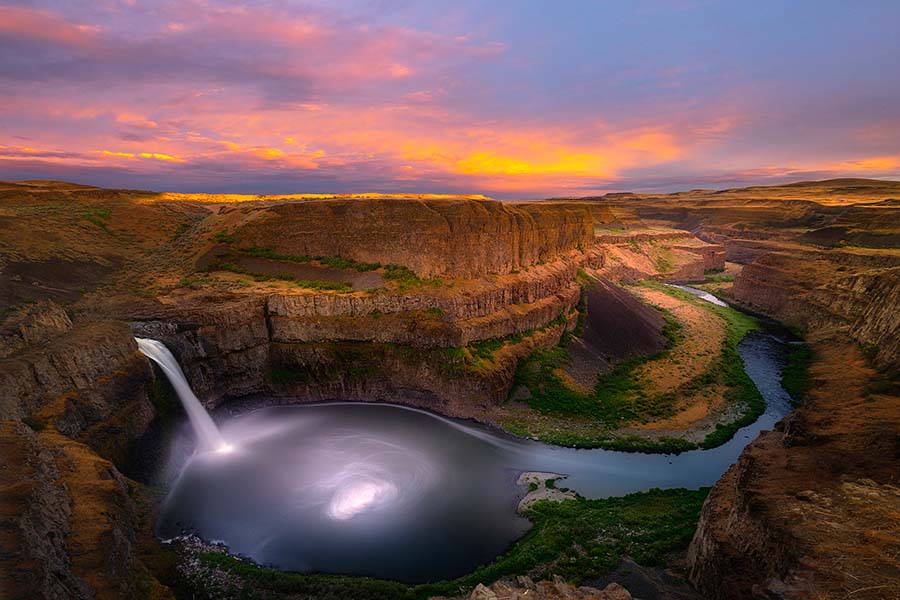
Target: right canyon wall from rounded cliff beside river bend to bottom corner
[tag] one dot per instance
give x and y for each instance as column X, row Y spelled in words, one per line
column 794, row 517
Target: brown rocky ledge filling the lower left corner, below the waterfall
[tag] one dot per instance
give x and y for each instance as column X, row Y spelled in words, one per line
column 68, row 522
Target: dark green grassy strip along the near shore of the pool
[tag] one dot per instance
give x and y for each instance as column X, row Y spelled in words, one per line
column 577, row 539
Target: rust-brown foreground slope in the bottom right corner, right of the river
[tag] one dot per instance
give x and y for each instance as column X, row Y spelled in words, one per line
column 809, row 510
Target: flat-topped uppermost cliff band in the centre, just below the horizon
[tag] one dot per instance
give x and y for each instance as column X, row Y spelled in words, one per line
column 435, row 238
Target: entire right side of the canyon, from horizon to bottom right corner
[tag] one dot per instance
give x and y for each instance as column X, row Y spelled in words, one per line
column 810, row 509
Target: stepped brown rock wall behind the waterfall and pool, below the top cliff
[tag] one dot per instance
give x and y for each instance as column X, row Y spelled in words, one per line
column 225, row 342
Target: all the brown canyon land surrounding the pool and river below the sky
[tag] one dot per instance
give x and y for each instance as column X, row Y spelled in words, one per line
column 547, row 319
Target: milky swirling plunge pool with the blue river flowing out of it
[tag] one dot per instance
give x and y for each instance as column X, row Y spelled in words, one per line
column 399, row 493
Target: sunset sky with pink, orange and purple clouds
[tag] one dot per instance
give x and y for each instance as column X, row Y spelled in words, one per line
column 509, row 98
